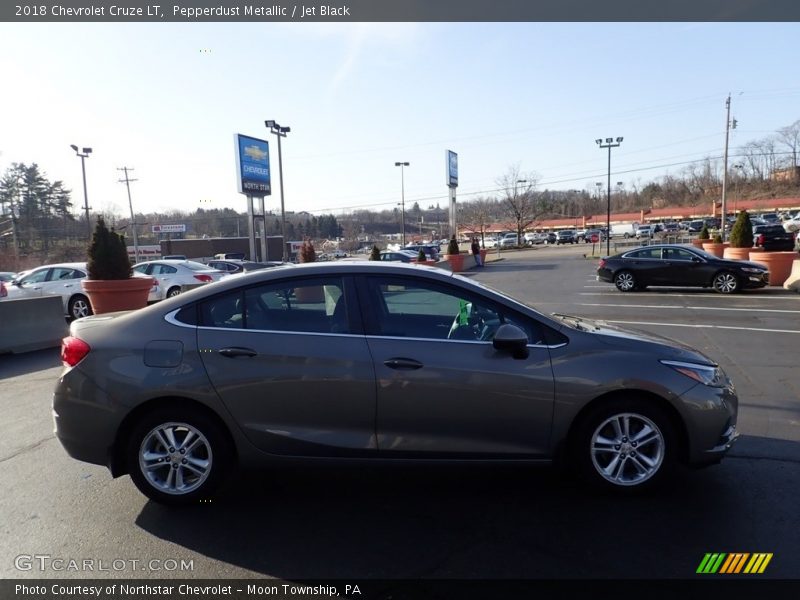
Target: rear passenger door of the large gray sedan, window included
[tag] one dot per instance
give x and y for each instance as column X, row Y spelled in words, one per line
column 289, row 361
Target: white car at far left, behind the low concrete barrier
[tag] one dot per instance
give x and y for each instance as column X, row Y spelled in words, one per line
column 62, row 279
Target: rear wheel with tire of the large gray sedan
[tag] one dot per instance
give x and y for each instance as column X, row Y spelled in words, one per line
column 201, row 469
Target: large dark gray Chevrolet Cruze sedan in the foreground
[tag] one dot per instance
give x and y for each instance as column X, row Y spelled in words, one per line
column 364, row 361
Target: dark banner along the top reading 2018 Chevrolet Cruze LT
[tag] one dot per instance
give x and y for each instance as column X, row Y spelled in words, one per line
column 189, row 11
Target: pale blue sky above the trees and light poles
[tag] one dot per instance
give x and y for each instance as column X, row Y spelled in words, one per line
column 166, row 99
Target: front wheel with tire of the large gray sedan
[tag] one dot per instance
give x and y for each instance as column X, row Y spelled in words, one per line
column 644, row 456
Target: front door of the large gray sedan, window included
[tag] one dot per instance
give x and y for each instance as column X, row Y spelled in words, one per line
column 442, row 389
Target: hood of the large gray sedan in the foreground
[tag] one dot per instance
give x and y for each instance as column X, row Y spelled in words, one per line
column 635, row 340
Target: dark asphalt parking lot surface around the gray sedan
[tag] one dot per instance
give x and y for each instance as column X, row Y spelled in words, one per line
column 453, row 522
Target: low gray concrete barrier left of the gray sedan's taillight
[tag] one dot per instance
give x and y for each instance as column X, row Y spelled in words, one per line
column 30, row 324
